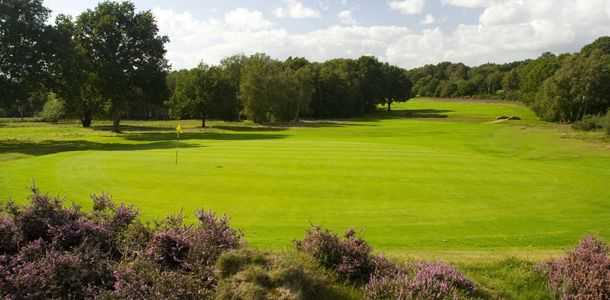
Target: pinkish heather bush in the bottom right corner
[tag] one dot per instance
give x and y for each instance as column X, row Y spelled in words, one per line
column 583, row 274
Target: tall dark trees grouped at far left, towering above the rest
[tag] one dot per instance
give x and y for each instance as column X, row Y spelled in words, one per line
column 109, row 60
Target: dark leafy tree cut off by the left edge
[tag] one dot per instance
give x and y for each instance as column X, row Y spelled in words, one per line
column 25, row 53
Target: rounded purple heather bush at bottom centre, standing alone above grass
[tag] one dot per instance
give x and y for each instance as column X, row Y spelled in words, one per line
column 350, row 256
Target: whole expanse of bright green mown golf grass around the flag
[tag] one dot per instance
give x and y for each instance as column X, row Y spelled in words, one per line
column 430, row 176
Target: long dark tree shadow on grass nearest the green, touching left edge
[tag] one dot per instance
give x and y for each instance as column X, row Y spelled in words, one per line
column 53, row 147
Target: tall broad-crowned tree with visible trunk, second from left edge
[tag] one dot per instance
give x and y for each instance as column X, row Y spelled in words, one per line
column 125, row 51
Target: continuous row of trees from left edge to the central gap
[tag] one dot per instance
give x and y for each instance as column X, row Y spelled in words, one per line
column 109, row 62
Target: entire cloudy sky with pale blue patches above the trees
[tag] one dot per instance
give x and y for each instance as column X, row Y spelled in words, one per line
column 408, row 33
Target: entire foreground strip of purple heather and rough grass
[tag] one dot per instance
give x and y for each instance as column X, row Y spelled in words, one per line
column 51, row 250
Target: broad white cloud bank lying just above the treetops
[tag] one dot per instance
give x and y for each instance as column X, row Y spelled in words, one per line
column 508, row 30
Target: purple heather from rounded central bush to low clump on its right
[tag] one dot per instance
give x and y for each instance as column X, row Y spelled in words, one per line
column 352, row 259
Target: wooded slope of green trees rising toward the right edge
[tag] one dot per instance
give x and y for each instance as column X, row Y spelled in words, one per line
column 559, row 88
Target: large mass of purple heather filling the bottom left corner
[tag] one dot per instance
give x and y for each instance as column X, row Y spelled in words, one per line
column 49, row 251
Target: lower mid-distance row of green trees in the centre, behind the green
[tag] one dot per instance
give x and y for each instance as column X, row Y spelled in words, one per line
column 264, row 90
